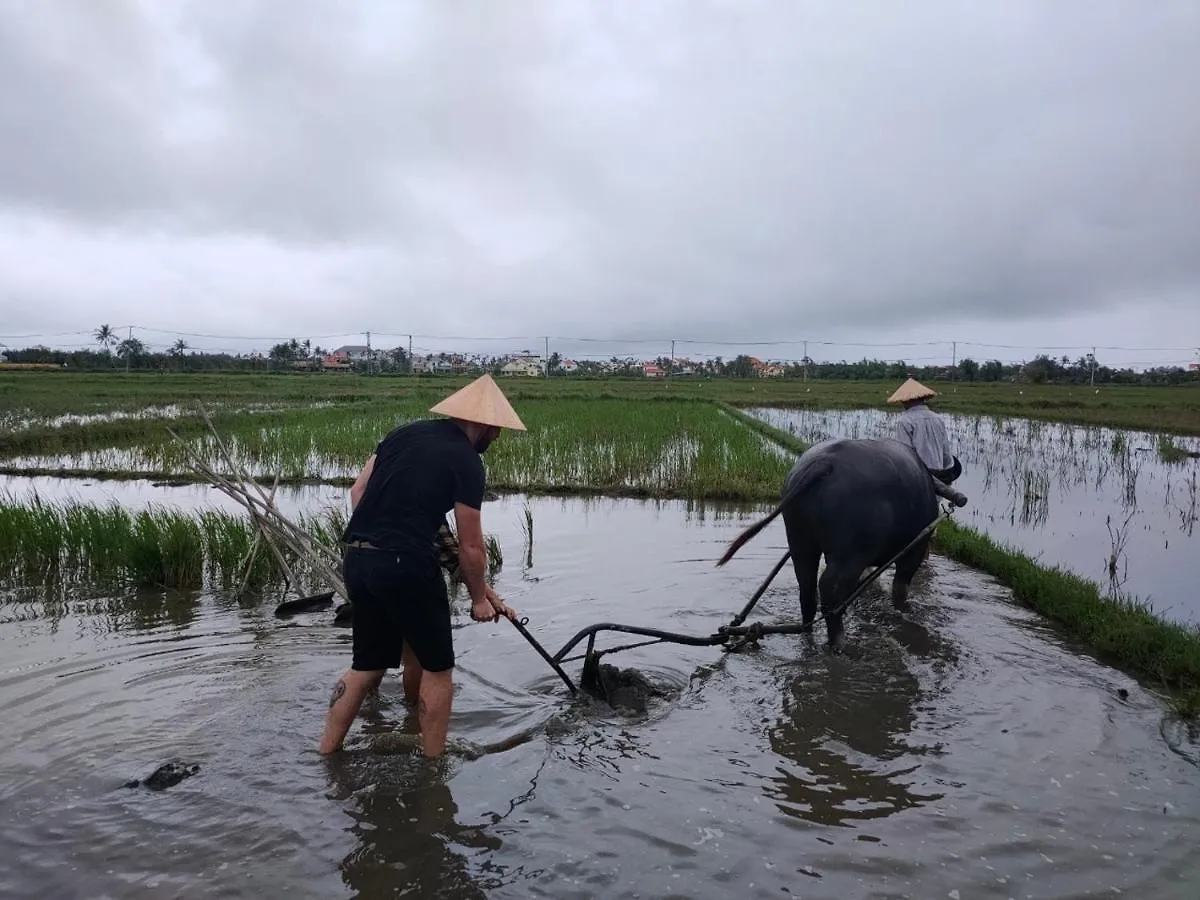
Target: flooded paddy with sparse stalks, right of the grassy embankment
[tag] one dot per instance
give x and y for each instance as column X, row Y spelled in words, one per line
column 1103, row 503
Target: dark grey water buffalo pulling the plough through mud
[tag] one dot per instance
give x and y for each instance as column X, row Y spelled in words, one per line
column 859, row 503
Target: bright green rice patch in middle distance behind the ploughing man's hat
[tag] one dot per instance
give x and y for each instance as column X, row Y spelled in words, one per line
column 665, row 449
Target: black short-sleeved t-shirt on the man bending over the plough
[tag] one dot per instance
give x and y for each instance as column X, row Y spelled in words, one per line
column 422, row 471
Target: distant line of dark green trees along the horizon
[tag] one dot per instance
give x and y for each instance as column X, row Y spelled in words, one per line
column 133, row 356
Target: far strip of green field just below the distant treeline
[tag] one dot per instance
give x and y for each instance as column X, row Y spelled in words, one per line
column 1156, row 409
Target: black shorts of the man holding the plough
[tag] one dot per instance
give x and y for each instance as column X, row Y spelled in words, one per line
column 398, row 603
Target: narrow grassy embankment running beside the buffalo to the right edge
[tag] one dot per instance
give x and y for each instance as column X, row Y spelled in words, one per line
column 1121, row 632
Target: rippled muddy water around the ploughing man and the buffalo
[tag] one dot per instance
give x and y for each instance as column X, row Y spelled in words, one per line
column 958, row 749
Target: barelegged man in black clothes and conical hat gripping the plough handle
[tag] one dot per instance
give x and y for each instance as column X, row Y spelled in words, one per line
column 418, row 473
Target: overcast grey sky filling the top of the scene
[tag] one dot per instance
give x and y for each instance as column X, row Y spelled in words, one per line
column 992, row 173
